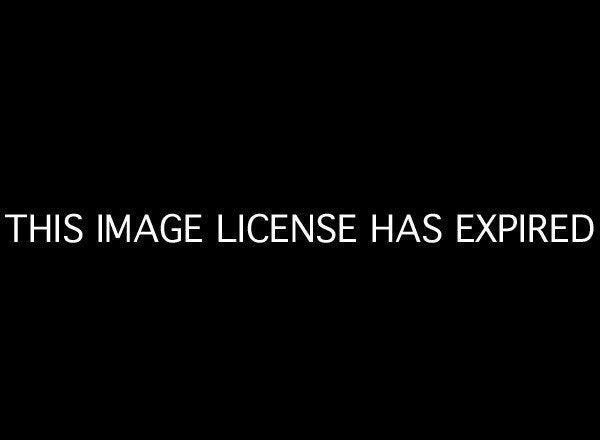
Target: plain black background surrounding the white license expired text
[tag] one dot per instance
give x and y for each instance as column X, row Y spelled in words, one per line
column 368, row 113
